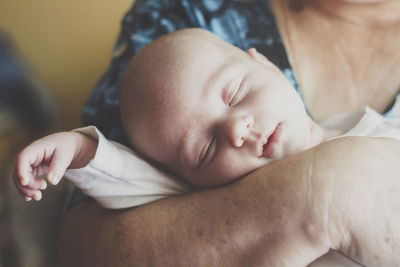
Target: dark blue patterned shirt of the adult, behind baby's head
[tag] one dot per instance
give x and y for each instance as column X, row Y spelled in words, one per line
column 243, row 23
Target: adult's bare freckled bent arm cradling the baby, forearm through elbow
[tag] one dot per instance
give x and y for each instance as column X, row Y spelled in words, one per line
column 286, row 214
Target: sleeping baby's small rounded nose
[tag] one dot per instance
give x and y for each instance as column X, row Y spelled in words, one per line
column 238, row 129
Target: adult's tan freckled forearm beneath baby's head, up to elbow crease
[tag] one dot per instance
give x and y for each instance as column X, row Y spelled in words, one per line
column 274, row 217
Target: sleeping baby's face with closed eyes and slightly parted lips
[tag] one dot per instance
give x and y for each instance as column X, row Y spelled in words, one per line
column 219, row 114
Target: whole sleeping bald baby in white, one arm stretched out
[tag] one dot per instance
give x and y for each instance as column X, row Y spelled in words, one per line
column 198, row 113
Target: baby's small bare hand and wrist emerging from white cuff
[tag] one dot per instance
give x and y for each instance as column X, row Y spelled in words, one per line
column 52, row 154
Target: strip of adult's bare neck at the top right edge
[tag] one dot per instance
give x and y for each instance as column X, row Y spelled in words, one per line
column 375, row 13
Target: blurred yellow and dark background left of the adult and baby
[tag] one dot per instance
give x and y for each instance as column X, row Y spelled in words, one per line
column 52, row 53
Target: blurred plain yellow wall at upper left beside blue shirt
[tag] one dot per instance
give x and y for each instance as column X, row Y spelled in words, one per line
column 67, row 44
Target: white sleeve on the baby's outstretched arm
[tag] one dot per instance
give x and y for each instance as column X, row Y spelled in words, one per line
column 117, row 177
